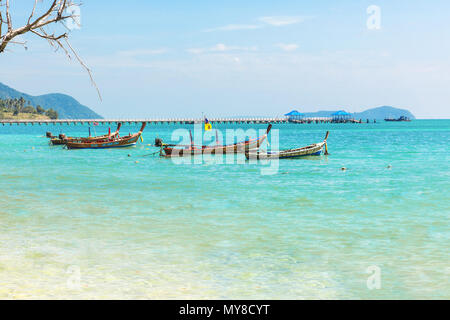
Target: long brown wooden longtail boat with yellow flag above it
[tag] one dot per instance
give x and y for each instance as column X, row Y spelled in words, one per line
column 191, row 150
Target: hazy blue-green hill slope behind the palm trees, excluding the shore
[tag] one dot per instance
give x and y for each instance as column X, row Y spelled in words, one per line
column 66, row 106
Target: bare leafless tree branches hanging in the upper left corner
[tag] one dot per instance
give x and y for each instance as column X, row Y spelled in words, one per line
column 56, row 14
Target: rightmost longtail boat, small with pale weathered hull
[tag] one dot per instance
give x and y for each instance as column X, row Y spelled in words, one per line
column 311, row 150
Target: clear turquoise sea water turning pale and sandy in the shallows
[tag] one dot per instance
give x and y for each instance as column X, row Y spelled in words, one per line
column 96, row 224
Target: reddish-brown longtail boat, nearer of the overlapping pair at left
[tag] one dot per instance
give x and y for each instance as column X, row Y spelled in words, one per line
column 117, row 142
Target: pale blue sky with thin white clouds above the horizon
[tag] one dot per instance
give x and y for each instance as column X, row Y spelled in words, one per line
column 160, row 59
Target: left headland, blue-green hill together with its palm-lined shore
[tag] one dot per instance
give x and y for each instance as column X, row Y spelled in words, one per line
column 63, row 105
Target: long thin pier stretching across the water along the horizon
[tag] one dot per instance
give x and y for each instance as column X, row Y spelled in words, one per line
column 170, row 121
